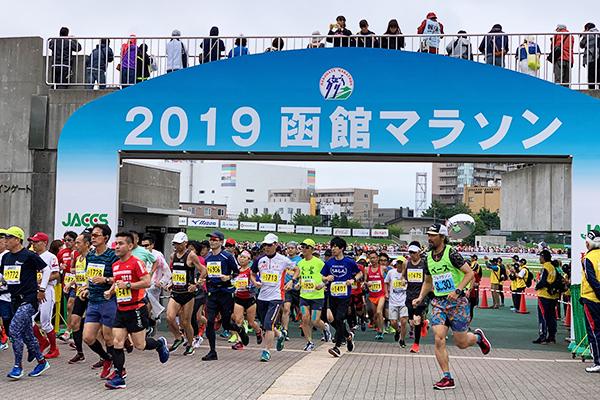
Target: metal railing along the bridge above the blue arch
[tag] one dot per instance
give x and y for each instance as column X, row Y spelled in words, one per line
column 73, row 62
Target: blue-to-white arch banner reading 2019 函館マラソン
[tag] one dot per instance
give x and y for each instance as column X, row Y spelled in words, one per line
column 340, row 100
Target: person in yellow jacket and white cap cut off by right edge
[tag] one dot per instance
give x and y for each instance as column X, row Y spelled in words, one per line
column 590, row 295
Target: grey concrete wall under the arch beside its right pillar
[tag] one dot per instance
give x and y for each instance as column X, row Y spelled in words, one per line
column 537, row 198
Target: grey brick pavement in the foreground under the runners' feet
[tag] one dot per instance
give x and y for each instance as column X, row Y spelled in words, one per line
column 374, row 370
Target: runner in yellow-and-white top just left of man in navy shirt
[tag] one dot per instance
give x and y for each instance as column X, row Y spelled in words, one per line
column 82, row 245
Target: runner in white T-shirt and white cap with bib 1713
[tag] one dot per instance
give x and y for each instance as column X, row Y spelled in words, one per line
column 270, row 267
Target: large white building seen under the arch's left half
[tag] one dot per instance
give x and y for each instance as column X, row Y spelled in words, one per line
column 239, row 185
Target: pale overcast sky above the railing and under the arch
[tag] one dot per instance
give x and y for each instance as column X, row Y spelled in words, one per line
column 151, row 18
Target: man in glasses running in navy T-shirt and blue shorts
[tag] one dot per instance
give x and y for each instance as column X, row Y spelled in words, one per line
column 100, row 312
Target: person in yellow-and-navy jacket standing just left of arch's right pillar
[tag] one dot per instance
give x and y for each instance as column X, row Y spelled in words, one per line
column 547, row 299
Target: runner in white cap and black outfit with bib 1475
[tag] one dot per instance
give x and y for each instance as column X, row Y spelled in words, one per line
column 414, row 271
